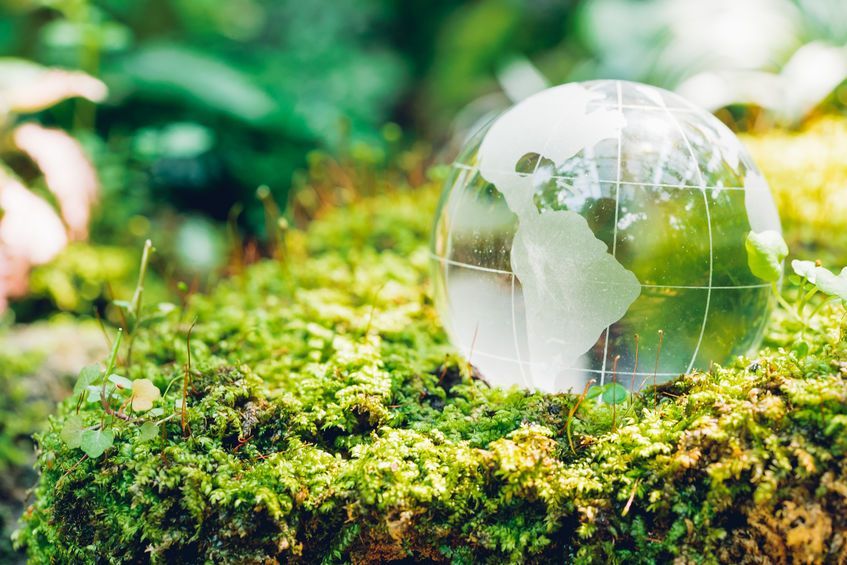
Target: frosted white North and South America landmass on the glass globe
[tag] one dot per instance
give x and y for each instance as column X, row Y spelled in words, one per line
column 573, row 287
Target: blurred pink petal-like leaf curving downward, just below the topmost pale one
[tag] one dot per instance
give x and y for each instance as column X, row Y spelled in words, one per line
column 67, row 171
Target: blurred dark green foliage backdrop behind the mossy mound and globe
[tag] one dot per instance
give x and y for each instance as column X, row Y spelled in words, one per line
column 211, row 99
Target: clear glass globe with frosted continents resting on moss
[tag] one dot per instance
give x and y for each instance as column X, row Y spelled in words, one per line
column 590, row 219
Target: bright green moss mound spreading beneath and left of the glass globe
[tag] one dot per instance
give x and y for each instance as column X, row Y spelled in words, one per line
column 324, row 418
